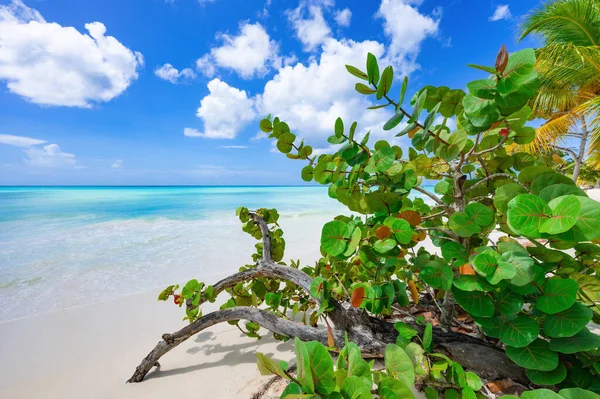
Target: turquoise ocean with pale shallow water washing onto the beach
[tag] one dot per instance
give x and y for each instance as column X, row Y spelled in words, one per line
column 70, row 246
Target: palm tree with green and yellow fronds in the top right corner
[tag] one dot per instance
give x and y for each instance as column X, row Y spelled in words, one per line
column 569, row 70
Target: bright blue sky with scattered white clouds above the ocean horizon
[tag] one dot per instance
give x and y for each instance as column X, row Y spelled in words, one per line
column 170, row 92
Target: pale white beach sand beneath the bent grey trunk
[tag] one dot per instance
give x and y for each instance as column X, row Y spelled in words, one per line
column 90, row 351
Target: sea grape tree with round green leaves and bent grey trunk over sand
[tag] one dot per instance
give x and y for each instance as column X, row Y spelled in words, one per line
column 517, row 253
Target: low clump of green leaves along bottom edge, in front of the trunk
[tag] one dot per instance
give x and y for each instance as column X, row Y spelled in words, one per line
column 350, row 376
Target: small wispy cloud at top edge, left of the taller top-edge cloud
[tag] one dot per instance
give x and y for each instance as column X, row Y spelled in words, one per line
column 312, row 29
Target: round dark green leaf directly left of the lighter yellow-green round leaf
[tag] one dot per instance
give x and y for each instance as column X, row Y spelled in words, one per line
column 526, row 214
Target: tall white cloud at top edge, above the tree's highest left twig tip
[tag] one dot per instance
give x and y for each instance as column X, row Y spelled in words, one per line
column 406, row 27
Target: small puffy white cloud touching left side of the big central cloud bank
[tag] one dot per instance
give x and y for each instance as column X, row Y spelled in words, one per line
column 225, row 111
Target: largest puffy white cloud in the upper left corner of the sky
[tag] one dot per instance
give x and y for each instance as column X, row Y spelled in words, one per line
column 54, row 65
